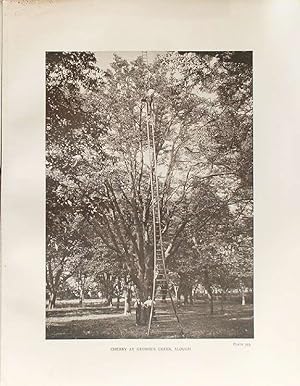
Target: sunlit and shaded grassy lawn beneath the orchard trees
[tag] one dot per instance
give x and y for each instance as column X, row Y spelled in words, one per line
column 95, row 321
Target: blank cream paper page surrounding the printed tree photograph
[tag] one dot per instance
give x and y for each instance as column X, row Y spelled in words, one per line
column 268, row 28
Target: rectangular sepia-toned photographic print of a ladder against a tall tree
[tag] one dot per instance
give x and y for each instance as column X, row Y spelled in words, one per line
column 149, row 195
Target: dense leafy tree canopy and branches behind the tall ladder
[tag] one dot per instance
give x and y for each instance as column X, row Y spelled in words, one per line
column 98, row 189
